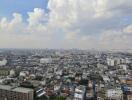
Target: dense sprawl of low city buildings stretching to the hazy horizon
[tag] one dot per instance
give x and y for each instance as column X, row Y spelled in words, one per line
column 43, row 74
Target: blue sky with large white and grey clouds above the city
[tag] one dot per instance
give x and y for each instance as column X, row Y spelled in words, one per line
column 85, row 24
